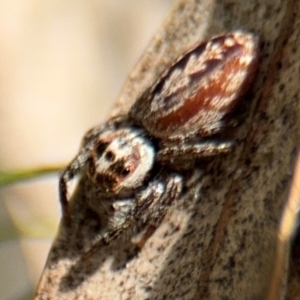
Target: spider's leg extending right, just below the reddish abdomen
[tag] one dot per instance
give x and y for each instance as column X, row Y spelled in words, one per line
column 183, row 155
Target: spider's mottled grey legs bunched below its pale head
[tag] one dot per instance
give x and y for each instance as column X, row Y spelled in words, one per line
column 149, row 208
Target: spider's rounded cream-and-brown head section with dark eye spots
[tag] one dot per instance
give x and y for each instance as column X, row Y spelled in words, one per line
column 120, row 160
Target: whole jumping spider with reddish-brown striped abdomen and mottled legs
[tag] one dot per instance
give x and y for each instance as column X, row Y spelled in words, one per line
column 134, row 161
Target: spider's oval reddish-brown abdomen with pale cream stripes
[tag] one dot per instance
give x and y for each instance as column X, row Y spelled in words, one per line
column 200, row 89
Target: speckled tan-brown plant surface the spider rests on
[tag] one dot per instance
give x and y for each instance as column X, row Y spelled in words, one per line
column 219, row 241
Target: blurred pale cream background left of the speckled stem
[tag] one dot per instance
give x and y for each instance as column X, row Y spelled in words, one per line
column 62, row 65
